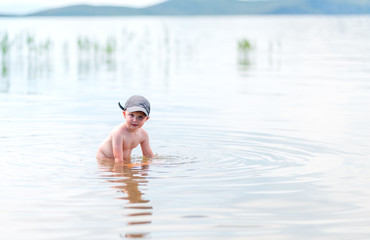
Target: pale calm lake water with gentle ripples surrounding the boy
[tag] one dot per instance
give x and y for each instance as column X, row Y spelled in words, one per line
column 270, row 142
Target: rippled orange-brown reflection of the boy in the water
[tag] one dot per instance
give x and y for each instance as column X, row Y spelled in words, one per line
column 130, row 179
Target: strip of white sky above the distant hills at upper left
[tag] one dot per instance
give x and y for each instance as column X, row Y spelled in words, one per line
column 29, row 6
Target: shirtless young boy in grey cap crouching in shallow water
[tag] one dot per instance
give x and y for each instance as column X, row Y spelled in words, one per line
column 126, row 136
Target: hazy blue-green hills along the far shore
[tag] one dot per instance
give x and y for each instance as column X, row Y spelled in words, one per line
column 219, row 7
